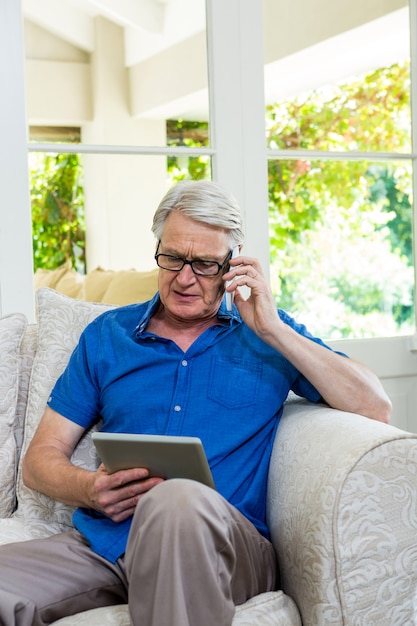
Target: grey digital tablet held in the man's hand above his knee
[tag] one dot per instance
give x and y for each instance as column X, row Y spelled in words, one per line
column 165, row 456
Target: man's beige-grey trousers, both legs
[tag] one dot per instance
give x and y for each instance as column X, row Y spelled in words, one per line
column 191, row 557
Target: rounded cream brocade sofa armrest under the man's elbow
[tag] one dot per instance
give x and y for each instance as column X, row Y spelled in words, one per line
column 342, row 510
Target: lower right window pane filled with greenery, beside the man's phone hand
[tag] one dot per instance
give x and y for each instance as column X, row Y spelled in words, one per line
column 341, row 245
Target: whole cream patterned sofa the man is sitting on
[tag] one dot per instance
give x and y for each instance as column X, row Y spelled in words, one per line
column 342, row 493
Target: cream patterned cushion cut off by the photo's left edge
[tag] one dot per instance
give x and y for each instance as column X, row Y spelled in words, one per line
column 12, row 328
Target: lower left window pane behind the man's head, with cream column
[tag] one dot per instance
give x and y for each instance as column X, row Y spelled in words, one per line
column 111, row 197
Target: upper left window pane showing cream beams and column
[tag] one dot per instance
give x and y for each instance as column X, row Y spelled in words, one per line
column 116, row 76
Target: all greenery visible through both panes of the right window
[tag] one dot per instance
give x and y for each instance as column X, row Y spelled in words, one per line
column 341, row 231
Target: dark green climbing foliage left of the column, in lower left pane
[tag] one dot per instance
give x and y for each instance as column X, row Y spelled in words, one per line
column 57, row 198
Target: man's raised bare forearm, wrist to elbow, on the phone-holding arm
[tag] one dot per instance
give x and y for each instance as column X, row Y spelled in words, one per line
column 342, row 382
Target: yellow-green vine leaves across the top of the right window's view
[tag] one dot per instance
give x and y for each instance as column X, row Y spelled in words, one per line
column 368, row 114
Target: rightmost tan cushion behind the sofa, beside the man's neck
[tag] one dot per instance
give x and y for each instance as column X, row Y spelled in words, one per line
column 130, row 286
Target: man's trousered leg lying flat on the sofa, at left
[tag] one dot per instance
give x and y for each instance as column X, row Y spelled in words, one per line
column 55, row 577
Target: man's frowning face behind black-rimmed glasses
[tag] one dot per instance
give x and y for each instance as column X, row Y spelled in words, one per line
column 185, row 295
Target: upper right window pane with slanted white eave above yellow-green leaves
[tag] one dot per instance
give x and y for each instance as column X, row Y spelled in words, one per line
column 338, row 79
